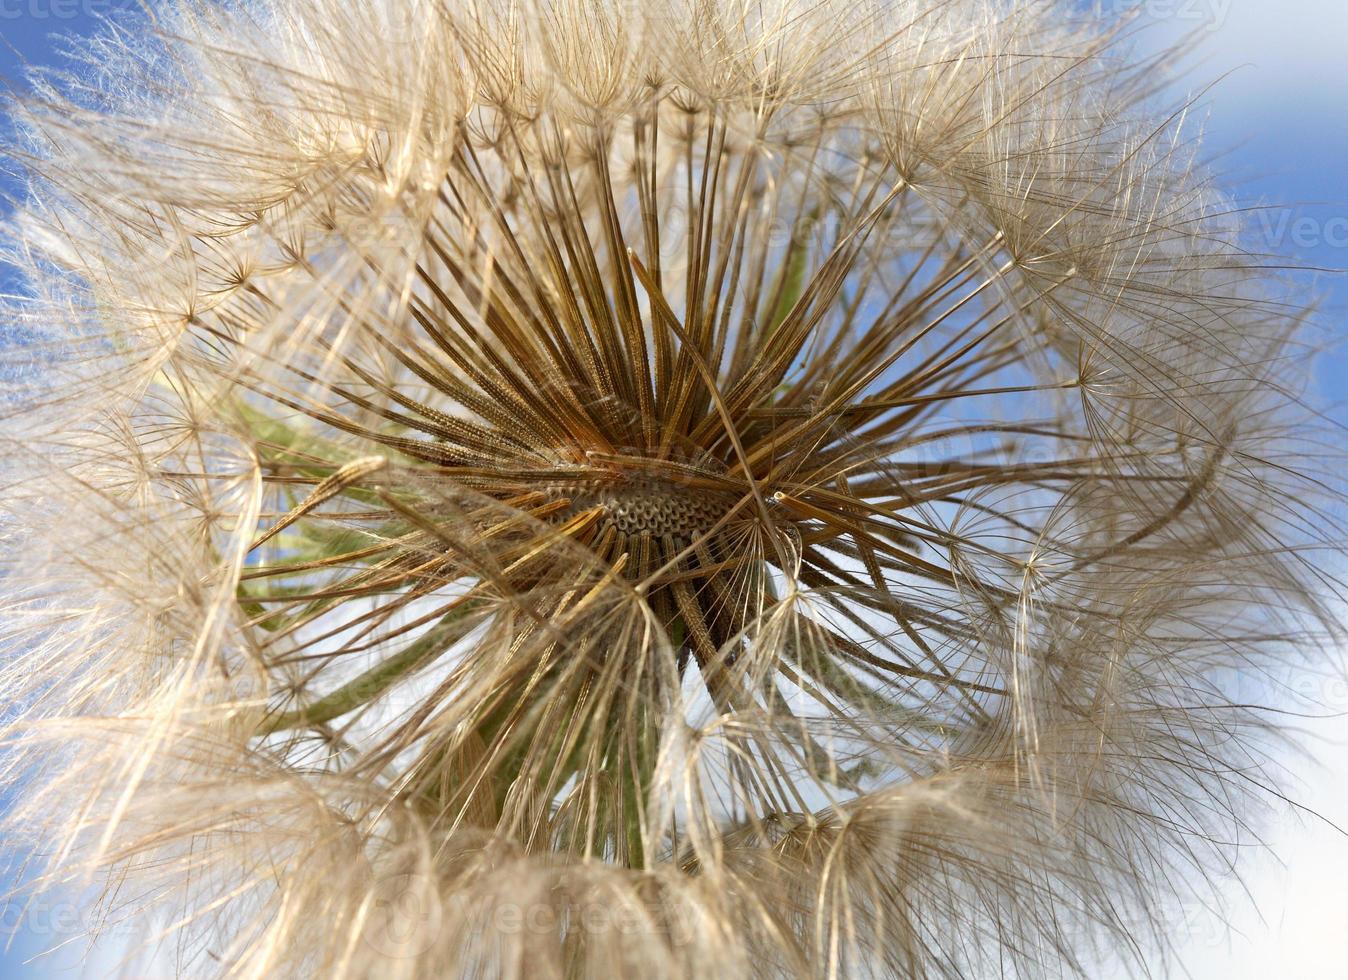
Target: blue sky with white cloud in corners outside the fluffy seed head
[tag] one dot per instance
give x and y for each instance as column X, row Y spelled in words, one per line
column 1280, row 121
